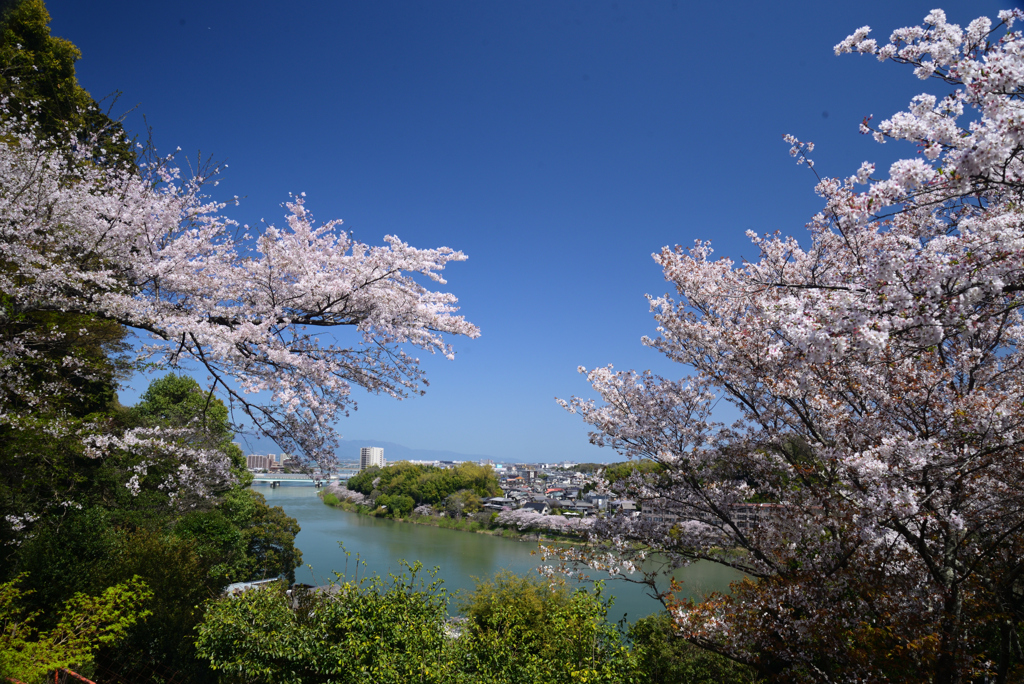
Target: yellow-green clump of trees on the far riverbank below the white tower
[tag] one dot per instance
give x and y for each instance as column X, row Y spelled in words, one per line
column 426, row 485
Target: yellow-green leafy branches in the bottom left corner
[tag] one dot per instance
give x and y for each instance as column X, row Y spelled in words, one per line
column 83, row 625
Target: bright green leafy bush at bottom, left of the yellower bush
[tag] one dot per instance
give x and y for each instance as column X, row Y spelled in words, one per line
column 359, row 632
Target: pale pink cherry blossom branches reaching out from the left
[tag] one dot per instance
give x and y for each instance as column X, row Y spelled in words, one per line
column 148, row 250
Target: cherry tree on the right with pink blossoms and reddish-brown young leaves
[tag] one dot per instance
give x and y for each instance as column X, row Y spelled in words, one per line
column 873, row 489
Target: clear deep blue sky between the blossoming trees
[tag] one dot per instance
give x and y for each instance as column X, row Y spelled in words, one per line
column 558, row 144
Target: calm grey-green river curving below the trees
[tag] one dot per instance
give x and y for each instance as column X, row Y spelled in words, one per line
column 382, row 544
